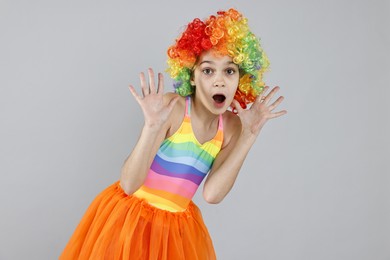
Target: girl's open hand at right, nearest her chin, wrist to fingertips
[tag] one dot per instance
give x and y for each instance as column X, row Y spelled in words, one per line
column 253, row 119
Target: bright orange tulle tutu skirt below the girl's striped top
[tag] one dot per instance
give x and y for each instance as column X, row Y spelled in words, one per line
column 121, row 226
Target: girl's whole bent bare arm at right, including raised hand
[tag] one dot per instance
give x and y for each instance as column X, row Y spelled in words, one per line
column 228, row 163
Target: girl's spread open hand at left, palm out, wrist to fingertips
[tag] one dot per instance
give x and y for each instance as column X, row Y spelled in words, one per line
column 155, row 112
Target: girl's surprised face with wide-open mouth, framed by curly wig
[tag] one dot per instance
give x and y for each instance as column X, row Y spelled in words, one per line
column 216, row 80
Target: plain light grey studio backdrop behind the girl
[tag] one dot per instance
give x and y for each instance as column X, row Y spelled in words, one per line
column 314, row 186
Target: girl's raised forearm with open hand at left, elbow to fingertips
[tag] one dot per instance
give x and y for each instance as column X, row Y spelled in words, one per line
column 157, row 109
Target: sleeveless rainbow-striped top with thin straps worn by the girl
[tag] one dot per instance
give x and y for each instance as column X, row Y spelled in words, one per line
column 179, row 166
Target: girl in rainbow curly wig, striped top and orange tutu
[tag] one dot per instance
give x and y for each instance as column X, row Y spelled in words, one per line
column 216, row 64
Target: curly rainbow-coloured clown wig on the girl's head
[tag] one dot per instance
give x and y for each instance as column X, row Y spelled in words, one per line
column 227, row 33
